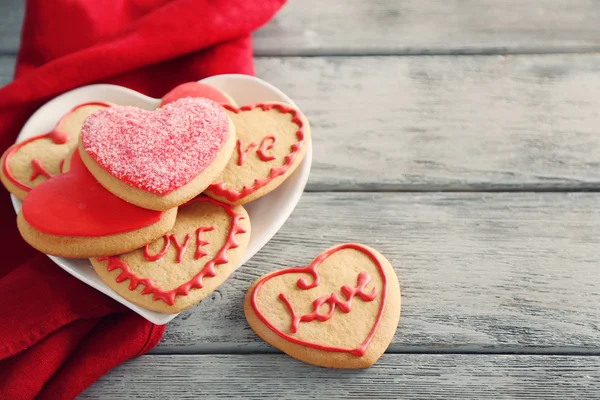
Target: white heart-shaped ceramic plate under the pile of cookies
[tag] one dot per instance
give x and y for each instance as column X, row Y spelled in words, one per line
column 267, row 214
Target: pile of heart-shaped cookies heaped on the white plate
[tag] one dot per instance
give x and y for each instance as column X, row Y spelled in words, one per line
column 155, row 198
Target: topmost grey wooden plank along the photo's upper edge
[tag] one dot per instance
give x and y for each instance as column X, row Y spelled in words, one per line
column 304, row 27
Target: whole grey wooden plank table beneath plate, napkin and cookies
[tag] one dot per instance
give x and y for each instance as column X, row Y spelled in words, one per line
column 462, row 139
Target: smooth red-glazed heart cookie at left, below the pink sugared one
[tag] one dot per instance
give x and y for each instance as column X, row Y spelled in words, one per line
column 72, row 215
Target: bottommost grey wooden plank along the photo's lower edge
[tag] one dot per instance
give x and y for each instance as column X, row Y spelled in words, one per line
column 406, row 376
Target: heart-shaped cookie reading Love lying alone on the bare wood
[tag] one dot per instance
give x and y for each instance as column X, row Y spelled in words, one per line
column 341, row 311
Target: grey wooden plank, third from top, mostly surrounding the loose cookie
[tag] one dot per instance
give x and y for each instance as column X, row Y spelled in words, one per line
column 495, row 272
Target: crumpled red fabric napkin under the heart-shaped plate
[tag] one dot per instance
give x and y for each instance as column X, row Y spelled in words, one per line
column 58, row 335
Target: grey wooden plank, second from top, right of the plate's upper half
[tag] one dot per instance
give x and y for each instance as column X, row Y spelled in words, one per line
column 474, row 123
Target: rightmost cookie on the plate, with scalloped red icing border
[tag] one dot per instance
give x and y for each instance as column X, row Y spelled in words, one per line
column 272, row 139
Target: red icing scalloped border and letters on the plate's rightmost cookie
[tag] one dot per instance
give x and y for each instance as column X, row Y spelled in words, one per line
column 230, row 194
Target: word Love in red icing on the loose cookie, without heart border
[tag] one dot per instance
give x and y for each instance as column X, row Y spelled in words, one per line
column 334, row 302
